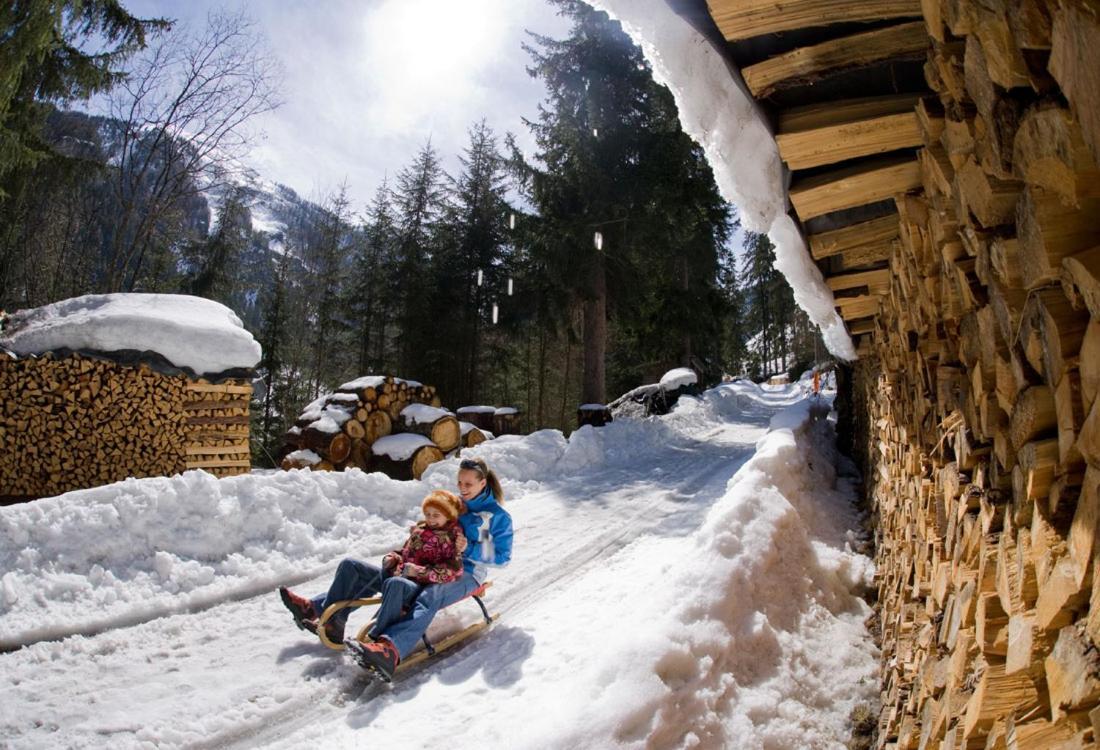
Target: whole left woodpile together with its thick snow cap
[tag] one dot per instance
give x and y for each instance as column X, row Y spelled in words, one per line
column 103, row 388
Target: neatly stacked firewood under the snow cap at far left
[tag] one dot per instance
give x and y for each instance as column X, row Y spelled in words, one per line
column 71, row 423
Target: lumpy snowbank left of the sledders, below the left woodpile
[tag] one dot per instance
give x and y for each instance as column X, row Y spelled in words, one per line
column 145, row 548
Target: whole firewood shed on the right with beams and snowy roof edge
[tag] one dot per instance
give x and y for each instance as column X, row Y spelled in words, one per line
column 941, row 158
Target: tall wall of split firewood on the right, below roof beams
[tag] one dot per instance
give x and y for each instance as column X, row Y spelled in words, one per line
column 982, row 394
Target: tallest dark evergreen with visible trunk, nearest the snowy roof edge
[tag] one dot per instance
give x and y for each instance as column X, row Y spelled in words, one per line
column 619, row 166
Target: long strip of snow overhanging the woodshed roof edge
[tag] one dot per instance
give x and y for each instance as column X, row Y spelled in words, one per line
column 719, row 114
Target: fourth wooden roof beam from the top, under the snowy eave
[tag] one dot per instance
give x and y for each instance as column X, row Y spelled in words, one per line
column 855, row 186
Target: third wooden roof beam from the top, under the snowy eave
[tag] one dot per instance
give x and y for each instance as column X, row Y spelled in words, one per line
column 820, row 135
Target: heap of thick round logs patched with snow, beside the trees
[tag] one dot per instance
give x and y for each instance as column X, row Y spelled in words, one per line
column 377, row 423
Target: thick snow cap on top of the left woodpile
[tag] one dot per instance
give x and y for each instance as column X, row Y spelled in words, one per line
column 201, row 335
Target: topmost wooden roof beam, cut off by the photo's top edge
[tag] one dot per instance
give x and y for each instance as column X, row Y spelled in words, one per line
column 745, row 19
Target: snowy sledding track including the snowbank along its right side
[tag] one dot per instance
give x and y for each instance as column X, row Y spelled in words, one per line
column 609, row 633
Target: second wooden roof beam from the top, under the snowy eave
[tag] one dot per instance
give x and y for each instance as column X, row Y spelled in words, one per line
column 904, row 41
